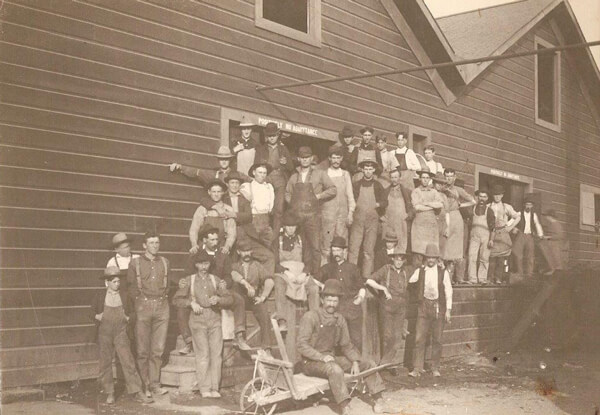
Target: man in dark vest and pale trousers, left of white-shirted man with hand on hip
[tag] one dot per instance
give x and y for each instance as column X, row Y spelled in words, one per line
column 481, row 238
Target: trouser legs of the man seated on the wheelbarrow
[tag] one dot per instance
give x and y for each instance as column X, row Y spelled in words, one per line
column 334, row 372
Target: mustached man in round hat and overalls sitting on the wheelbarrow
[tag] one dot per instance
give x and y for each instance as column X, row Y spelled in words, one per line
column 321, row 332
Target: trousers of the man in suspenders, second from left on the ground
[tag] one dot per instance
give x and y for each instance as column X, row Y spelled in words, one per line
column 151, row 336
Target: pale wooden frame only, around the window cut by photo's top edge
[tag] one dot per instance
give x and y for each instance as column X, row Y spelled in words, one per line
column 313, row 37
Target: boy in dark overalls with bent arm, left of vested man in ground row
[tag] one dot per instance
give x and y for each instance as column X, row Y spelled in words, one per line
column 391, row 281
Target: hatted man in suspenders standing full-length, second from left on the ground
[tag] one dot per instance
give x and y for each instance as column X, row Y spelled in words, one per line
column 148, row 288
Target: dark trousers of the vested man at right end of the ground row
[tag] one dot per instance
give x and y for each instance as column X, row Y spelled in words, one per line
column 429, row 322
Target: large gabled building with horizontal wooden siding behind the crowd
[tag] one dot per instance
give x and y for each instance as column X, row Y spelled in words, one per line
column 99, row 96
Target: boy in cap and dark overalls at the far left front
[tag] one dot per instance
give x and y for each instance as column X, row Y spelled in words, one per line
column 111, row 310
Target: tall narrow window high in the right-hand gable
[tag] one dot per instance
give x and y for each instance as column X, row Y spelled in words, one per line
column 547, row 87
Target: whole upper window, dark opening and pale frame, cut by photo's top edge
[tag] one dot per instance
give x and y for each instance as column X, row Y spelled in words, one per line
column 296, row 19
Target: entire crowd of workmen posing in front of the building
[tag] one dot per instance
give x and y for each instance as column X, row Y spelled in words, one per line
column 329, row 234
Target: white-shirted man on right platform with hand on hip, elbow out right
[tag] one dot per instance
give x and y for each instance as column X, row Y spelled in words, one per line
column 506, row 220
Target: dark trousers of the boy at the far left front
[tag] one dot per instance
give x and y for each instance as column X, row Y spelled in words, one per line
column 112, row 337
